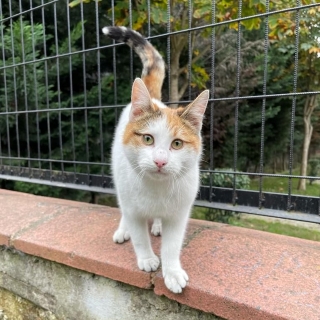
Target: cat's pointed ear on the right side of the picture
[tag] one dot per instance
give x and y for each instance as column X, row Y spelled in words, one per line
column 194, row 112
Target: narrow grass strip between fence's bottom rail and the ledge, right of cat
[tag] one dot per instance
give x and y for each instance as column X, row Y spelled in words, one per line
column 259, row 224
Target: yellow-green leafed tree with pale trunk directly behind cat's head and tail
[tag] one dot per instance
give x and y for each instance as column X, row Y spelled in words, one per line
column 183, row 17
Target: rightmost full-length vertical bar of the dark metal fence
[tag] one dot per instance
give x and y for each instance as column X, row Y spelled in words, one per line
column 294, row 102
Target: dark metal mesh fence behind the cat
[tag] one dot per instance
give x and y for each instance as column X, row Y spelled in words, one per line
column 63, row 85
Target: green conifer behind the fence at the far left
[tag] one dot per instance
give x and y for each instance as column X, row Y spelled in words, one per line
column 23, row 86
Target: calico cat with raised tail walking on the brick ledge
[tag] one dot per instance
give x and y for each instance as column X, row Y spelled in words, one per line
column 155, row 163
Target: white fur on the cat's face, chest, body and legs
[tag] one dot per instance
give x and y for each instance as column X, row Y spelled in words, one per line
column 145, row 194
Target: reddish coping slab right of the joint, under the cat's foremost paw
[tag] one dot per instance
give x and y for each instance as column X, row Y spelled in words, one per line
column 238, row 273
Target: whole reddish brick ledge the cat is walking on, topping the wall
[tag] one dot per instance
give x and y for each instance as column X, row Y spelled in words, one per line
column 234, row 273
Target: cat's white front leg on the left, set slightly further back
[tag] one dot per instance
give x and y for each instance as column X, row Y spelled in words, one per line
column 146, row 258
